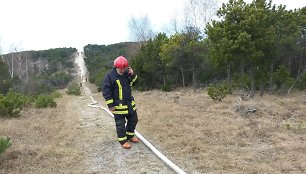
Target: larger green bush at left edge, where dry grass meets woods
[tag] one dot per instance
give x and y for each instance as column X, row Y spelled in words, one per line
column 12, row 103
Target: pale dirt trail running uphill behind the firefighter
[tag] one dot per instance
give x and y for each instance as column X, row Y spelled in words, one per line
column 104, row 153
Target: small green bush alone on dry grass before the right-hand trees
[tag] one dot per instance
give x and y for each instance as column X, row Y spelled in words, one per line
column 218, row 92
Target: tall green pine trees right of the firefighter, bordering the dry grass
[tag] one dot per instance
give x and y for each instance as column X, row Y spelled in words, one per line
column 255, row 46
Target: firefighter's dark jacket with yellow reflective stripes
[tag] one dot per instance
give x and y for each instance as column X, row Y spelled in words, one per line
column 117, row 91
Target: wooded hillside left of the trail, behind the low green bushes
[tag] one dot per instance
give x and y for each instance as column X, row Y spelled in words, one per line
column 36, row 72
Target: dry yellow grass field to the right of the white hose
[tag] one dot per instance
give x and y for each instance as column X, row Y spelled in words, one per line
column 201, row 136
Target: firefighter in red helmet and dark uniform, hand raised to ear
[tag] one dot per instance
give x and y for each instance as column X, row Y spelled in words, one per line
column 117, row 91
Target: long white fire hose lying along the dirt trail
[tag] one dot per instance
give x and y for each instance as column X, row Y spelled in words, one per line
column 147, row 143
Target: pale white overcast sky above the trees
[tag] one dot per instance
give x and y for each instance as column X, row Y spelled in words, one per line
column 45, row 24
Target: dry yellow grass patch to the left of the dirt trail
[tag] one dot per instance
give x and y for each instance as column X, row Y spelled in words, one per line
column 43, row 141
